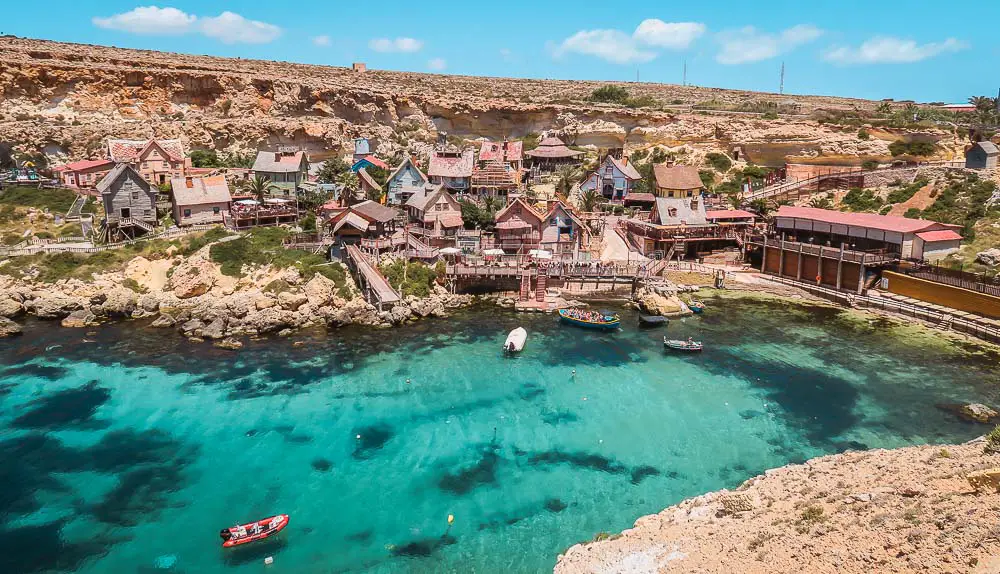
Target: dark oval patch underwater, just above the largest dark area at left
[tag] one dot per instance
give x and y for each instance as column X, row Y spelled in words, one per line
column 66, row 408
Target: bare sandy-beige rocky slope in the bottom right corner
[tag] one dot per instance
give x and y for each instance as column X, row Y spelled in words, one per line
column 905, row 510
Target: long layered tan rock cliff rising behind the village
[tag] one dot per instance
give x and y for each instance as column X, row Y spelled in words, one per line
column 67, row 99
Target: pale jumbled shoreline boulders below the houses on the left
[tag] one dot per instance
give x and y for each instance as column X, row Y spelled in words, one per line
column 204, row 305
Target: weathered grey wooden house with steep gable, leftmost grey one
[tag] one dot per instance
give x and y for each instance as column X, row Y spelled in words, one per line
column 129, row 203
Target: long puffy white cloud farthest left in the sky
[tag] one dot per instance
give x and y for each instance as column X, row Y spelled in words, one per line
column 228, row 27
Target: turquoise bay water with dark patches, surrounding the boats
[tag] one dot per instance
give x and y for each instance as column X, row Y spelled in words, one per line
column 128, row 451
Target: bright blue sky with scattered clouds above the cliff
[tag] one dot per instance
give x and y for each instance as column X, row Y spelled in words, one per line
column 923, row 51
